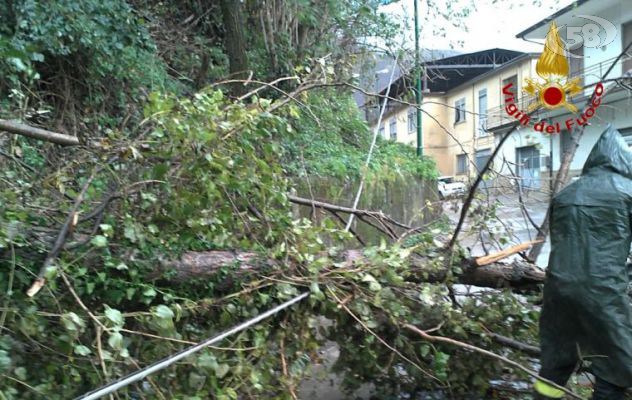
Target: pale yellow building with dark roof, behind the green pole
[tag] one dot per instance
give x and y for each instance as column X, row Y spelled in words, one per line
column 462, row 101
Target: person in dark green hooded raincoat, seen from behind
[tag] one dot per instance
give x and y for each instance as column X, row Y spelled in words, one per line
column 587, row 314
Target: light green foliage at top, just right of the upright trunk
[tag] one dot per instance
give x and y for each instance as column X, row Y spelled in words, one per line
column 287, row 32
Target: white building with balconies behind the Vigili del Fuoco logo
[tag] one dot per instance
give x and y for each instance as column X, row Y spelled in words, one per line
column 535, row 156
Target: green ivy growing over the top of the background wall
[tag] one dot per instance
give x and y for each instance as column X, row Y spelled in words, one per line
column 330, row 138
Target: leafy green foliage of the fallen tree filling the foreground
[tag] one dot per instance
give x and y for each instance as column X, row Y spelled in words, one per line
column 205, row 175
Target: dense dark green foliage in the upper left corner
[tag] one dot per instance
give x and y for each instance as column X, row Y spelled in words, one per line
column 95, row 54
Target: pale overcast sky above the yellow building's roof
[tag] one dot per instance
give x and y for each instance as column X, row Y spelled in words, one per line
column 491, row 25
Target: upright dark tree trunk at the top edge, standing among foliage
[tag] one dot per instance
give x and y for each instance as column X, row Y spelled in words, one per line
column 235, row 42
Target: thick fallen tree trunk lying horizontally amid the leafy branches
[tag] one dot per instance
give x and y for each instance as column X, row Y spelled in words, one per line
column 205, row 264
